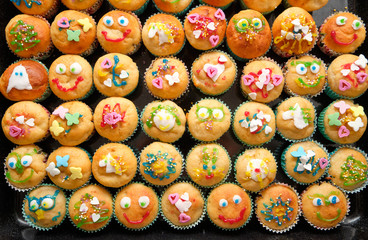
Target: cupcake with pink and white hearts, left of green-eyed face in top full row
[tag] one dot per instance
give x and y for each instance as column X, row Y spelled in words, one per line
column 205, row 27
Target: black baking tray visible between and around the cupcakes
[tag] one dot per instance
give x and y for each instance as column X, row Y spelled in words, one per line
column 13, row 226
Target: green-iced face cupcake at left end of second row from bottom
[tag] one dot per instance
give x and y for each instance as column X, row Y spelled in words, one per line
column 25, row 167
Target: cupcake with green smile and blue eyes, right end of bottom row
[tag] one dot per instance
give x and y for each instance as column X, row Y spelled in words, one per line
column 324, row 206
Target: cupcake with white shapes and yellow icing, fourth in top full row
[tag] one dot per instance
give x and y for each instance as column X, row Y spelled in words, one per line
column 163, row 35
